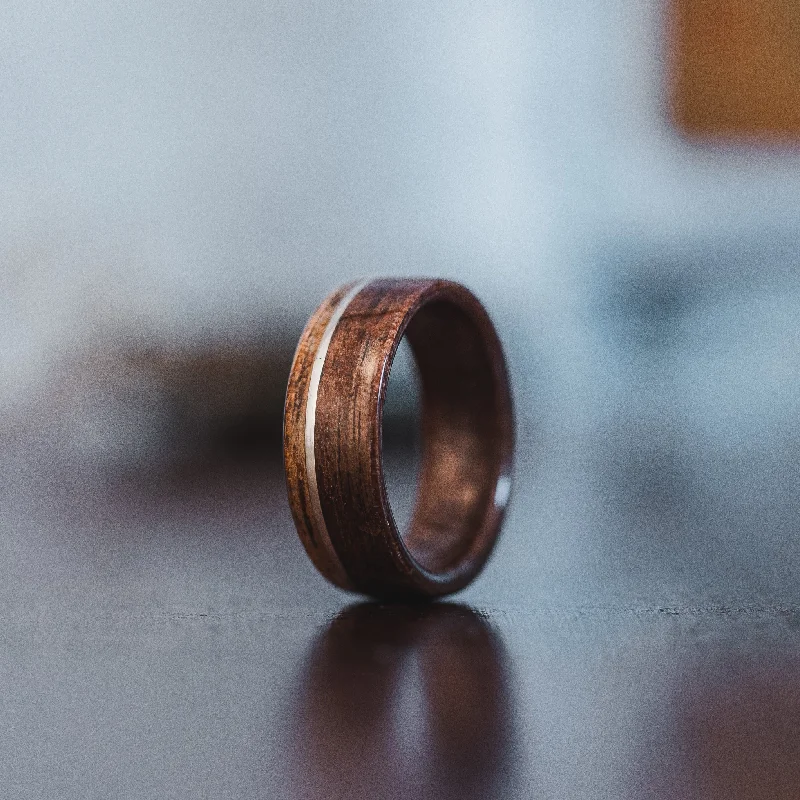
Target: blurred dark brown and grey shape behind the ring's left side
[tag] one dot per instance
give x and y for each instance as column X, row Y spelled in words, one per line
column 131, row 409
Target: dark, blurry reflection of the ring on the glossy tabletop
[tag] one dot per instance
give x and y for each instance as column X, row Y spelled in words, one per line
column 404, row 701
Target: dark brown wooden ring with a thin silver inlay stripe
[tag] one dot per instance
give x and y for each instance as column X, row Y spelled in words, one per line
column 333, row 437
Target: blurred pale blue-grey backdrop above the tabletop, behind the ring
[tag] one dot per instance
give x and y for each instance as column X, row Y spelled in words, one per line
column 180, row 182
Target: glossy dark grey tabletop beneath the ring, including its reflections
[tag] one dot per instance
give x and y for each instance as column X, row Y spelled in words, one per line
column 166, row 636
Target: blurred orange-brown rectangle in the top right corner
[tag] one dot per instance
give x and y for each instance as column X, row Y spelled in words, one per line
column 735, row 67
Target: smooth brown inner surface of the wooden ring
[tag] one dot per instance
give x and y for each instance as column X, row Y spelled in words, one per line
column 461, row 435
